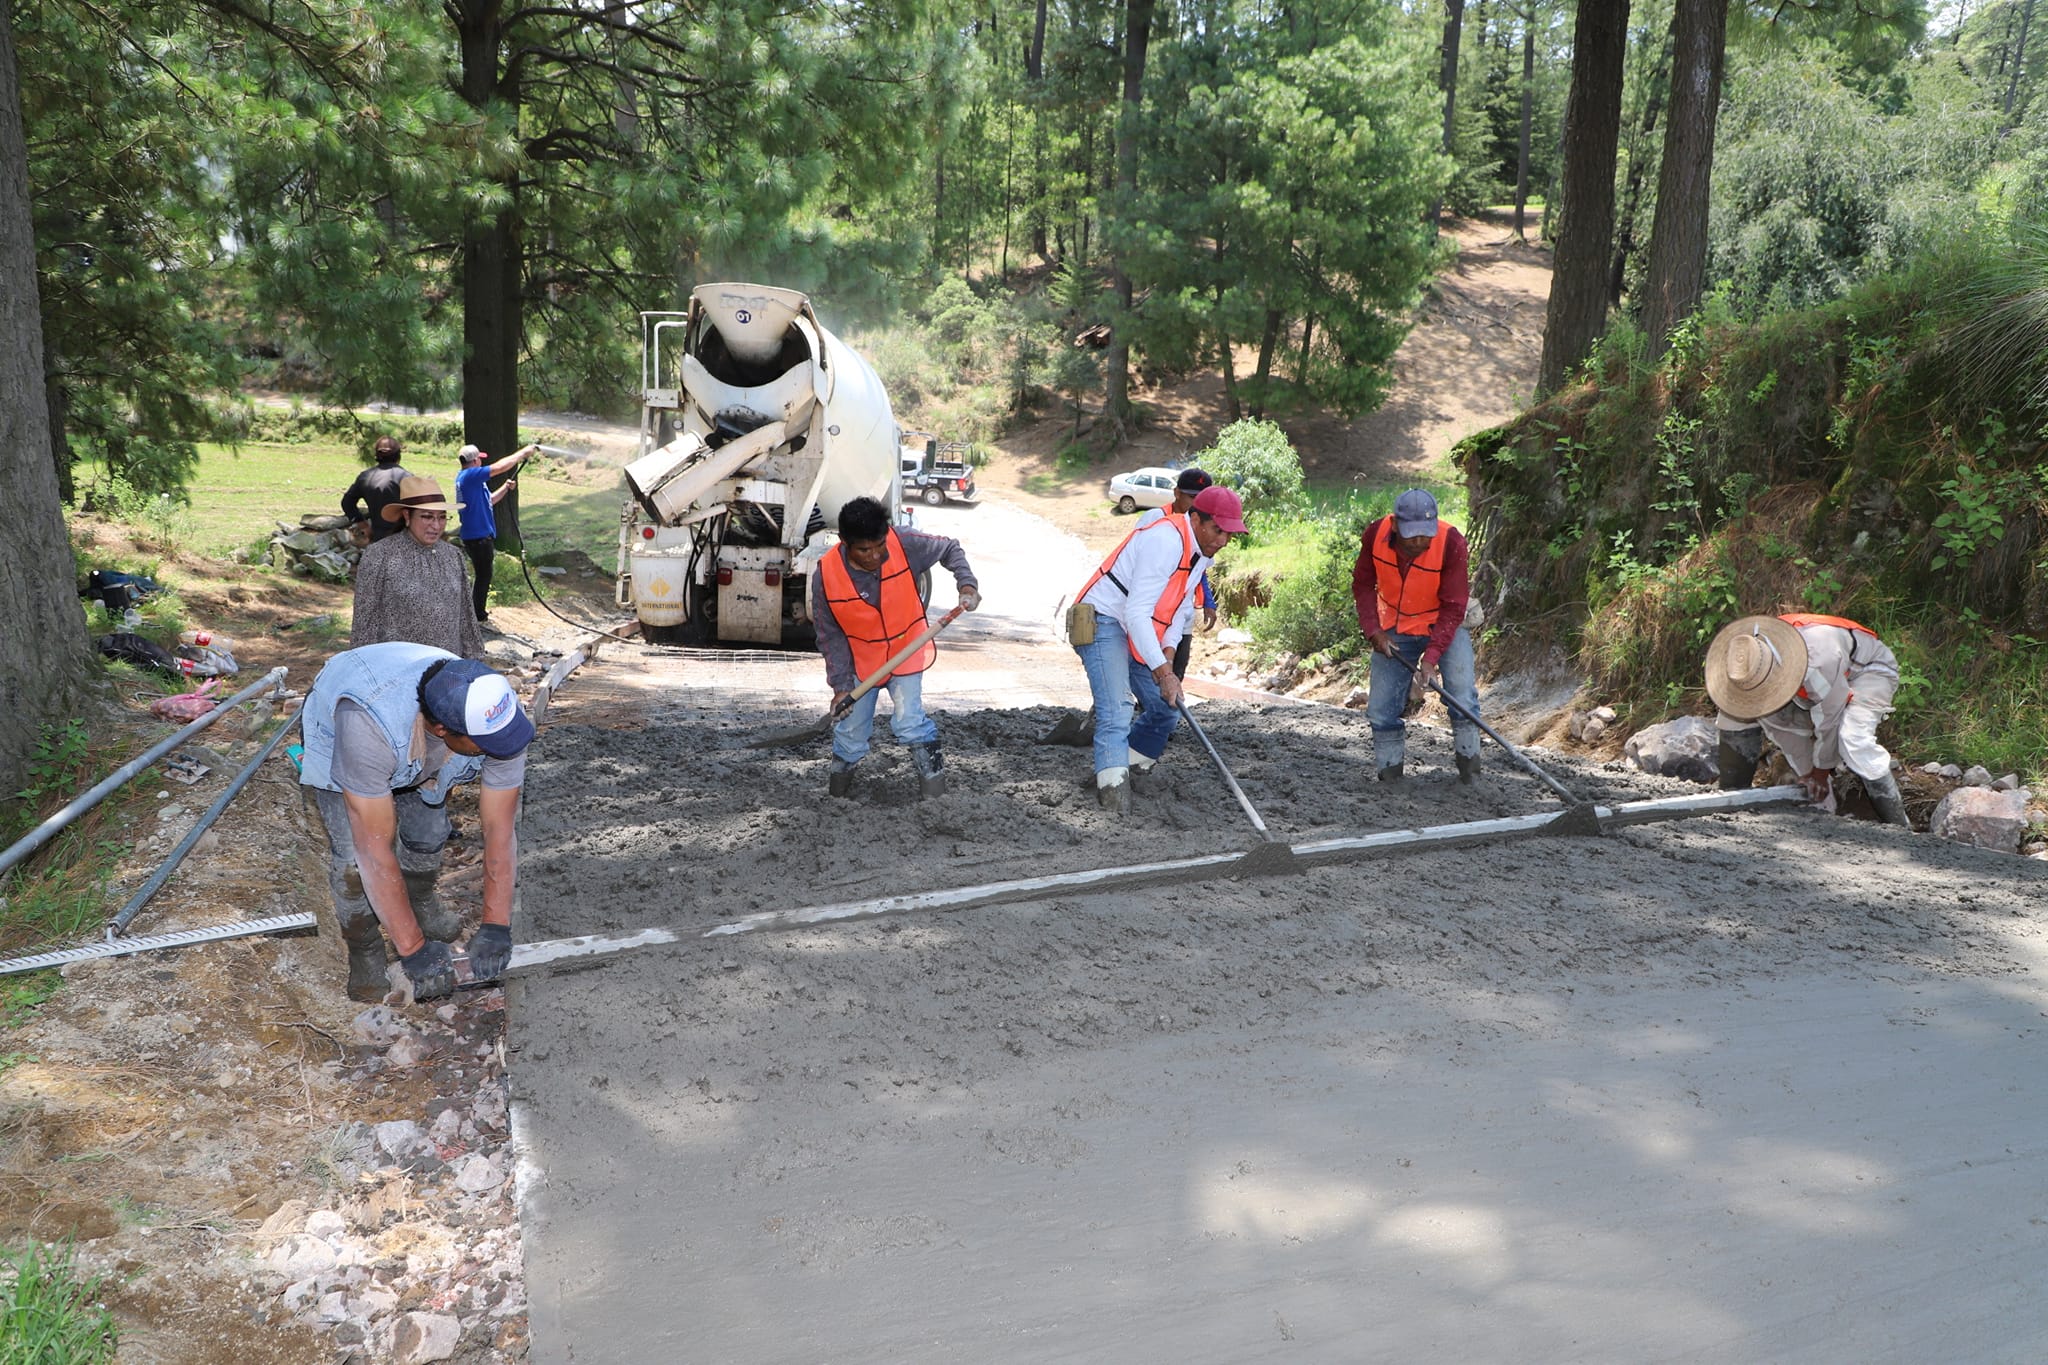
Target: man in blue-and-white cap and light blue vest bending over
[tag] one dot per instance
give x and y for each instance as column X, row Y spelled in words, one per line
column 390, row 730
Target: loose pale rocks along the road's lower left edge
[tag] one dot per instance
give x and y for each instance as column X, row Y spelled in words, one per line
column 417, row 1253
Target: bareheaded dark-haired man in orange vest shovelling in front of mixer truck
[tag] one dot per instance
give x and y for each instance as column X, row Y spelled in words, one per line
column 867, row 607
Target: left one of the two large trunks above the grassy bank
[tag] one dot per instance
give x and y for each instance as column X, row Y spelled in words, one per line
column 1578, row 308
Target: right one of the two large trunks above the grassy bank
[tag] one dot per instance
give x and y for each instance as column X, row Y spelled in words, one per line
column 1676, row 271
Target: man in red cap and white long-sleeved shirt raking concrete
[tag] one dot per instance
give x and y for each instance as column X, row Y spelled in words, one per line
column 1125, row 623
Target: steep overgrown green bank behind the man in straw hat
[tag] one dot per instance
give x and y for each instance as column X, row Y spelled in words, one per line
column 1859, row 459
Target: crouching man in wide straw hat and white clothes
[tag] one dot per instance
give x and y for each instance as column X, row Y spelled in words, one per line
column 1818, row 687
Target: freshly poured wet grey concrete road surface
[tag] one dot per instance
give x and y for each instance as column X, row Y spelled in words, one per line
column 1730, row 1090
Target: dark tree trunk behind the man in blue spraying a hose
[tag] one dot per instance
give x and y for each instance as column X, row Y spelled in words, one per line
column 493, row 275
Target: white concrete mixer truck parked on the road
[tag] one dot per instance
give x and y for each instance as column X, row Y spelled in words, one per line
column 757, row 427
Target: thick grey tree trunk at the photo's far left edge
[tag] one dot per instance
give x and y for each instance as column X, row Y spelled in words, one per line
column 44, row 644
